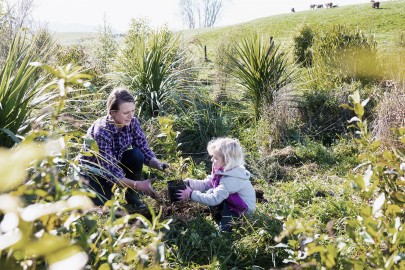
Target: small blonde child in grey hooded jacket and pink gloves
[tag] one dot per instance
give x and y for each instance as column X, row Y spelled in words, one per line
column 228, row 187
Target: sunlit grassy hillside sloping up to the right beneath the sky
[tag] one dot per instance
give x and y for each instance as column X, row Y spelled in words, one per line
column 387, row 24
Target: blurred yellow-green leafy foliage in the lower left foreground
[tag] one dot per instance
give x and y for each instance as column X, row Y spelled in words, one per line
column 47, row 216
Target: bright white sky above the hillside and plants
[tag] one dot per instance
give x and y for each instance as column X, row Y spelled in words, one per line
column 158, row 12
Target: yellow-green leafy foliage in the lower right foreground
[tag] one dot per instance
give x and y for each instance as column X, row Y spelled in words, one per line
column 374, row 238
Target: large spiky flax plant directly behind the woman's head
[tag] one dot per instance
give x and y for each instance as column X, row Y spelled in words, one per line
column 148, row 65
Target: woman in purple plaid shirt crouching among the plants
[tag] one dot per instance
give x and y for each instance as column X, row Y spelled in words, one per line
column 123, row 150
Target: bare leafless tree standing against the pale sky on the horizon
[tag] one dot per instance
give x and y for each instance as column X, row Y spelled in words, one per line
column 203, row 12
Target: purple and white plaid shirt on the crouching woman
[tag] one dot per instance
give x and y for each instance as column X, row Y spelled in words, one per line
column 113, row 142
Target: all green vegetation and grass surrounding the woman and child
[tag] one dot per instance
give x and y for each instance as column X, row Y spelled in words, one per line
column 325, row 147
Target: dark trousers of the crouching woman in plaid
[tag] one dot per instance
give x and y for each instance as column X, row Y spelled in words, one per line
column 132, row 163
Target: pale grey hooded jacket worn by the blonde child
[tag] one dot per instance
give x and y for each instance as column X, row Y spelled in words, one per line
column 232, row 181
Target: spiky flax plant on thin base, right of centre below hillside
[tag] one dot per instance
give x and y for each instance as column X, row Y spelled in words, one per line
column 260, row 68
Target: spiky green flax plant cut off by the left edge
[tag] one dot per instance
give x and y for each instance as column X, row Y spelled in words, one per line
column 20, row 87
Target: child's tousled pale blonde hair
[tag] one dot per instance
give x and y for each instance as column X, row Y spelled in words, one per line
column 229, row 150
